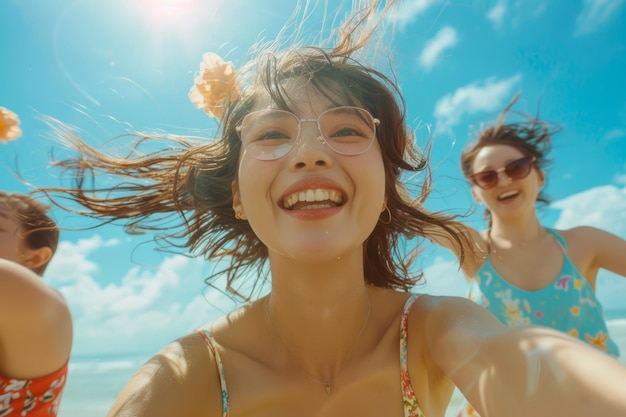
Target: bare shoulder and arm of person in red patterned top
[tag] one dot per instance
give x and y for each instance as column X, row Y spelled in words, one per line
column 35, row 324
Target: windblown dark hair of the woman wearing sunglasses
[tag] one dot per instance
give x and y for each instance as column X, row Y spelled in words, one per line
column 532, row 137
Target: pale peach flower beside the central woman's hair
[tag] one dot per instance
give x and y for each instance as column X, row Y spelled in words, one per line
column 214, row 86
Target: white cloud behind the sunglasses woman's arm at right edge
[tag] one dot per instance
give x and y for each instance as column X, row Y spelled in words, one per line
column 605, row 208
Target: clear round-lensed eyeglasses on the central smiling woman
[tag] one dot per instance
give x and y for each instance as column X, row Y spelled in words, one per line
column 270, row 134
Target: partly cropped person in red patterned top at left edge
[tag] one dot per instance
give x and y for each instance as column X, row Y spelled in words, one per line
column 35, row 321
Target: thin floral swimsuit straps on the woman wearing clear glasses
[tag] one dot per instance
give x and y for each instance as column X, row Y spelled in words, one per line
column 411, row 408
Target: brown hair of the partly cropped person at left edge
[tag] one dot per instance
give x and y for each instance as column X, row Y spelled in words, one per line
column 37, row 229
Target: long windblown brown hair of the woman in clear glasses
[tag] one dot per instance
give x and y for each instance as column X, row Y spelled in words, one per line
column 195, row 181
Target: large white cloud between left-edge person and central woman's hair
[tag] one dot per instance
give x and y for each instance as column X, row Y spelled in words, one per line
column 139, row 312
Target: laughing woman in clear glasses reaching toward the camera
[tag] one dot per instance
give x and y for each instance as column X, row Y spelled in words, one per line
column 304, row 187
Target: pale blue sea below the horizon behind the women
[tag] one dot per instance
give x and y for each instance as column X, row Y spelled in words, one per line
column 94, row 382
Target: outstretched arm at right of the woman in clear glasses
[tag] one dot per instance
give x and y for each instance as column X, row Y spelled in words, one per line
column 521, row 371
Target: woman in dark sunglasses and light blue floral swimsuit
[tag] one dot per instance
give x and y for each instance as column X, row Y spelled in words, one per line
column 523, row 272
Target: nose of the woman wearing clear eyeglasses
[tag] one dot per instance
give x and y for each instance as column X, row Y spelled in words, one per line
column 310, row 150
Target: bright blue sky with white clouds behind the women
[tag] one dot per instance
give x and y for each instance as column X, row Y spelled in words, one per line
column 109, row 67
